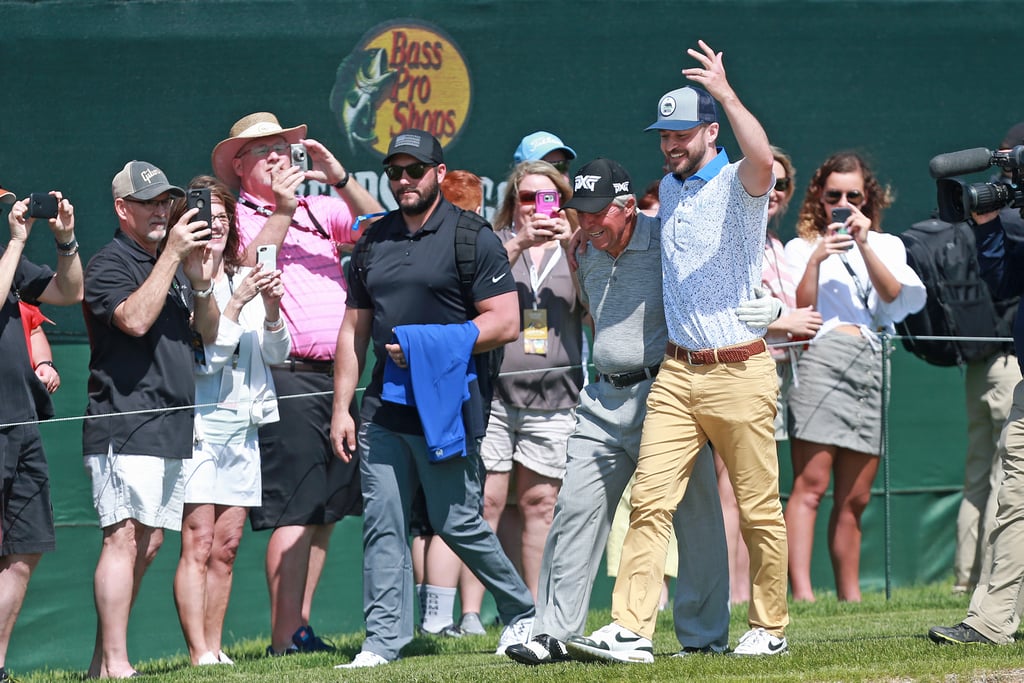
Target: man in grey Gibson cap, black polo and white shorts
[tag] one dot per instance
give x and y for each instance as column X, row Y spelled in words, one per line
column 147, row 307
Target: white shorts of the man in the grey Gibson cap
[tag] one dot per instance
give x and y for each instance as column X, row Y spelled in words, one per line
column 148, row 489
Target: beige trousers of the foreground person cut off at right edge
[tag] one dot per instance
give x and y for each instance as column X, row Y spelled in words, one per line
column 998, row 603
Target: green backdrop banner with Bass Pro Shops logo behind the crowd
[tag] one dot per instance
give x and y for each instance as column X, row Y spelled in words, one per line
column 92, row 84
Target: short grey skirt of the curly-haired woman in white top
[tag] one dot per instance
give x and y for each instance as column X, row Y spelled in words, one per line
column 838, row 400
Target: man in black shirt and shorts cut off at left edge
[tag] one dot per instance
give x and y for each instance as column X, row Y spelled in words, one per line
column 26, row 514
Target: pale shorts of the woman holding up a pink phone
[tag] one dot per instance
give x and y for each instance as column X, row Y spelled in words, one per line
column 536, row 440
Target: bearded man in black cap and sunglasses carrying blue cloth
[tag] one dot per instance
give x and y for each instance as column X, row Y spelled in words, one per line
column 409, row 277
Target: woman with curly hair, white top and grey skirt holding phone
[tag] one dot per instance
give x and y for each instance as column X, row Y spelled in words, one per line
column 859, row 280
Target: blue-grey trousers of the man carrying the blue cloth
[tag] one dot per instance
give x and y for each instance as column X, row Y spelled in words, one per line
column 393, row 467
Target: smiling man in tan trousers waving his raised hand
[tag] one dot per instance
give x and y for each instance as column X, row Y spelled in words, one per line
column 717, row 382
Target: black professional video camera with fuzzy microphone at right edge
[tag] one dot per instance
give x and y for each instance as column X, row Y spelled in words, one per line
column 958, row 199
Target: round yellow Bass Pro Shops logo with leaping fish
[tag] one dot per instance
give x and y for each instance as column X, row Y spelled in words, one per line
column 405, row 74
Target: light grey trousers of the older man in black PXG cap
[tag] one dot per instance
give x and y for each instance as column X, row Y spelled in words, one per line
column 603, row 457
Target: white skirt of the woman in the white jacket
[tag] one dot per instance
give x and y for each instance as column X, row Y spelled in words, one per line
column 225, row 475
